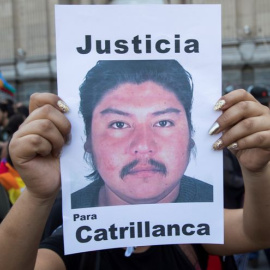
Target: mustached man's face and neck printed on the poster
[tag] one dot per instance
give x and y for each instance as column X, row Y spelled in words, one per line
column 140, row 143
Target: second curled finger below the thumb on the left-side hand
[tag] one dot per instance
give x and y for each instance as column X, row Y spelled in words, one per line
column 46, row 129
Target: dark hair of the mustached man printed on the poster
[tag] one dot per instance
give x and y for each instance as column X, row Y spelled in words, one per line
column 107, row 75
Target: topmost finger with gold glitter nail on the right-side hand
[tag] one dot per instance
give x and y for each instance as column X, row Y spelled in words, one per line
column 232, row 98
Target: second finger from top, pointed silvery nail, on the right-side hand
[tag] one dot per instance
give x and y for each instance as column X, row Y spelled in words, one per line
column 237, row 113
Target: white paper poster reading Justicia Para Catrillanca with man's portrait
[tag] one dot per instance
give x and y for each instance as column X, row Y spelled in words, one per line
column 141, row 83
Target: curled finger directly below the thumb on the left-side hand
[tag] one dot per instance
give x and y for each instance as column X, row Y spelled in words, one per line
column 48, row 112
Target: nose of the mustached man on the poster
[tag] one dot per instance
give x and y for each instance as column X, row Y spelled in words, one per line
column 143, row 141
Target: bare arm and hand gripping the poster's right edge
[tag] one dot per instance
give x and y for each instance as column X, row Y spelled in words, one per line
column 245, row 127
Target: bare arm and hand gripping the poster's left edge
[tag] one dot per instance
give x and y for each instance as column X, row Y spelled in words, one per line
column 34, row 150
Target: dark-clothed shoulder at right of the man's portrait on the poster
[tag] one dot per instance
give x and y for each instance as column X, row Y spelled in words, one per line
column 194, row 190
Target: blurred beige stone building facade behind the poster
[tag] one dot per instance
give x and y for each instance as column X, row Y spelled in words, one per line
column 27, row 43
